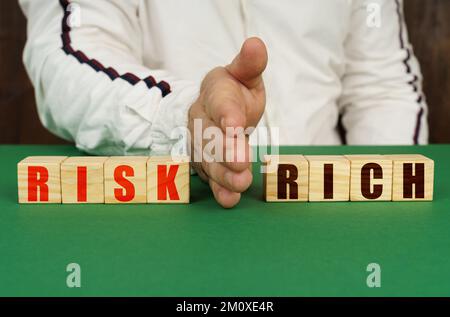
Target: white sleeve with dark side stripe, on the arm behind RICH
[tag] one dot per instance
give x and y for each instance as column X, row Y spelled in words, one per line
column 382, row 100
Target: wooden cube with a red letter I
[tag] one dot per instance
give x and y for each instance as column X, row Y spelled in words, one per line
column 82, row 180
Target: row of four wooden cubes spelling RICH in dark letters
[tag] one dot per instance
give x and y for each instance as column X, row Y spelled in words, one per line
column 348, row 178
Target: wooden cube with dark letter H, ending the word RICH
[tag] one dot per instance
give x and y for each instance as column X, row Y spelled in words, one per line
column 413, row 177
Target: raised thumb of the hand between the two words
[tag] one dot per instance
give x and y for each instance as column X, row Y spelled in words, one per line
column 250, row 63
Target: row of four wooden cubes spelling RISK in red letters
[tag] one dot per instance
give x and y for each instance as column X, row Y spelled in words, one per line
column 110, row 180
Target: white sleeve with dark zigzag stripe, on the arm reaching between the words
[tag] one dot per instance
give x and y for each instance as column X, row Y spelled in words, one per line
column 91, row 86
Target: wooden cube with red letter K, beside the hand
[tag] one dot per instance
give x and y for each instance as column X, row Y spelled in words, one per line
column 168, row 180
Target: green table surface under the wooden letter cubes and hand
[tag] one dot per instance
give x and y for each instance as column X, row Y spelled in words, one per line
column 200, row 249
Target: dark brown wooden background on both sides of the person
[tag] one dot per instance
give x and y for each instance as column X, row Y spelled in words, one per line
column 429, row 27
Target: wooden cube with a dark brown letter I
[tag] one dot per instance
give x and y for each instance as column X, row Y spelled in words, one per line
column 329, row 178
